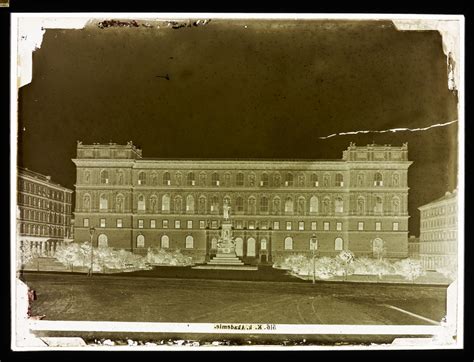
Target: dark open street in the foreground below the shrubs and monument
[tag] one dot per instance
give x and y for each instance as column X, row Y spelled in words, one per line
column 145, row 299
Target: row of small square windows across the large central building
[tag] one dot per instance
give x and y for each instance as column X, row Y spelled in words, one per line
column 251, row 225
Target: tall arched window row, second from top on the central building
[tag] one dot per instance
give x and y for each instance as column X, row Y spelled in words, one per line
column 326, row 205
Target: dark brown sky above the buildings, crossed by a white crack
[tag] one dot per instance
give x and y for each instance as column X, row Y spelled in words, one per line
column 268, row 90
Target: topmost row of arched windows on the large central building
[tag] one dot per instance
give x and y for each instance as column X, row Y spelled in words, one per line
column 239, row 179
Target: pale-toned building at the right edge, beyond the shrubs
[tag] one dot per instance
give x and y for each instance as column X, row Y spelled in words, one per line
column 438, row 232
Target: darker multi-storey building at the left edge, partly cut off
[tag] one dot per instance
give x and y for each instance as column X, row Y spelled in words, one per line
column 44, row 211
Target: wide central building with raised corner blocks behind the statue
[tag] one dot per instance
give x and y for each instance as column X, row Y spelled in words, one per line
column 358, row 202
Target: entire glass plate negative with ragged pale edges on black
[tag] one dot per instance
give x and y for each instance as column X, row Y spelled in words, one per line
column 192, row 181
